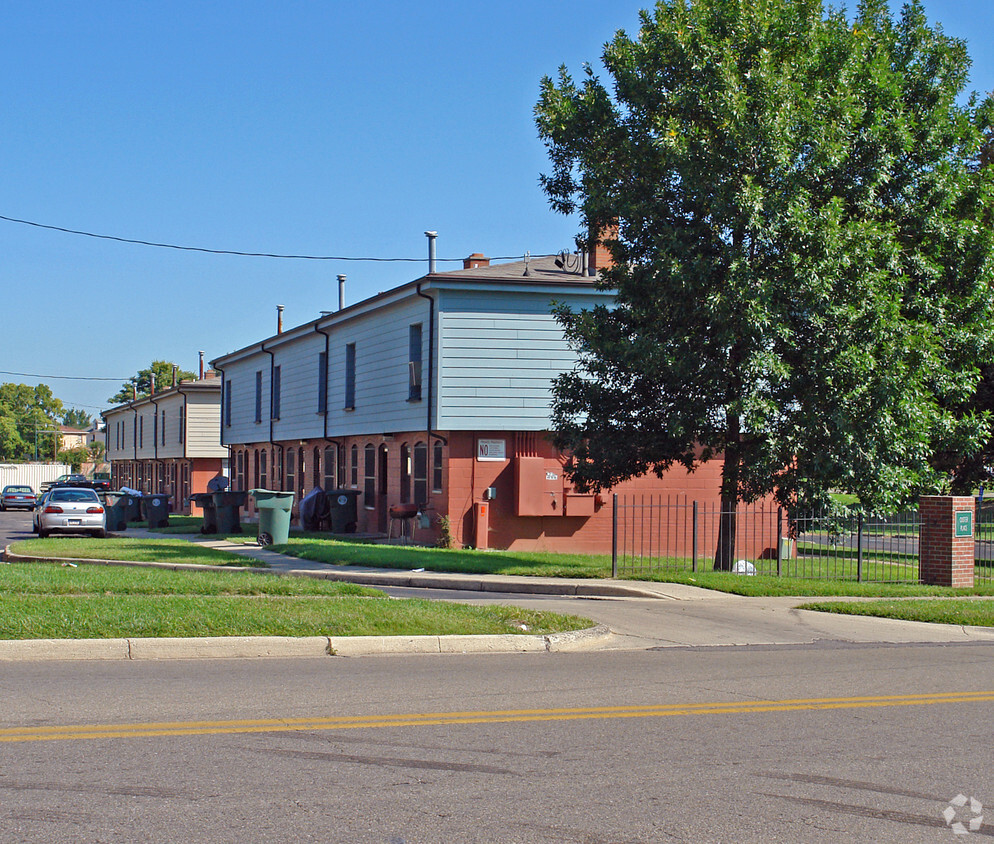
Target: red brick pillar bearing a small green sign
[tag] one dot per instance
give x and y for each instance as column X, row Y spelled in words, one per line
column 945, row 541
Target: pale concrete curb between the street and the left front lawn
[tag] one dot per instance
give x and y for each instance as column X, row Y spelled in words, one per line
column 269, row 647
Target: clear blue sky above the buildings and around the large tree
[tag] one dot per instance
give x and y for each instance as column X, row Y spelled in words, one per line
column 321, row 128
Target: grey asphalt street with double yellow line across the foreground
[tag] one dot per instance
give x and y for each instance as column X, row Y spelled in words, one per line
column 813, row 743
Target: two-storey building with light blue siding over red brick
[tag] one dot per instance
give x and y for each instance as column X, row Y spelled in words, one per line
column 434, row 398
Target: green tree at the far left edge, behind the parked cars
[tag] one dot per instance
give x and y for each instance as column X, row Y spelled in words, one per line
column 29, row 418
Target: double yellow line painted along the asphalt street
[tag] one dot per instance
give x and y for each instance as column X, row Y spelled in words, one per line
column 354, row 722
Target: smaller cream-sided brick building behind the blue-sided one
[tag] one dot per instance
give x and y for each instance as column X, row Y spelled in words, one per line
column 168, row 442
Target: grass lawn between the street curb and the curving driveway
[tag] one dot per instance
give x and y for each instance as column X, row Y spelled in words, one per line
column 40, row 600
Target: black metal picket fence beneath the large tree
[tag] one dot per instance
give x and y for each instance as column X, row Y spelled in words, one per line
column 653, row 533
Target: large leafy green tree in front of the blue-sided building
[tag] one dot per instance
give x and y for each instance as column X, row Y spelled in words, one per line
column 803, row 275
